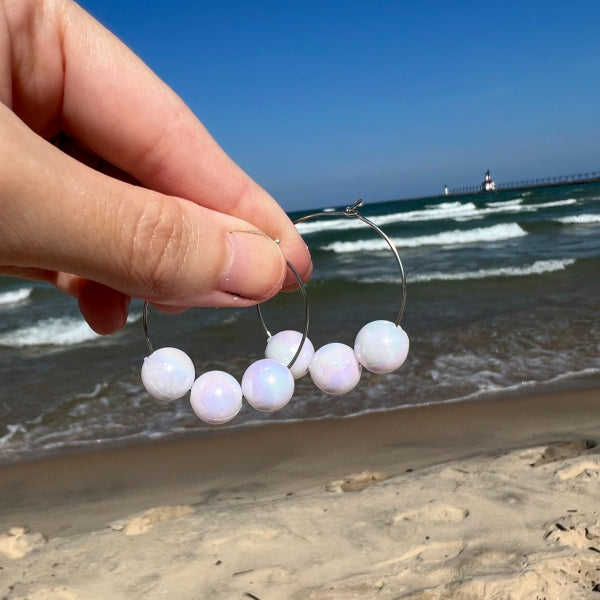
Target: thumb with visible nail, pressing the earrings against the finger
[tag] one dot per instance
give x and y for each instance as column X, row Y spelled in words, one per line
column 58, row 214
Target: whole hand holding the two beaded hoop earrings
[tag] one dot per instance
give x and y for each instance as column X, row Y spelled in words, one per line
column 110, row 188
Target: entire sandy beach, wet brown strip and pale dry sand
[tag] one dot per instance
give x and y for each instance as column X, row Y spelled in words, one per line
column 494, row 500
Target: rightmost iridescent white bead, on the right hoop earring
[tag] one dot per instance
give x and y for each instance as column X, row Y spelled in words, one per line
column 381, row 347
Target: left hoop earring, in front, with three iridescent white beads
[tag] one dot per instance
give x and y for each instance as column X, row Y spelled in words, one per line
column 216, row 396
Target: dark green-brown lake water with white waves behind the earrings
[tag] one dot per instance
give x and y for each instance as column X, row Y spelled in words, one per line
column 503, row 299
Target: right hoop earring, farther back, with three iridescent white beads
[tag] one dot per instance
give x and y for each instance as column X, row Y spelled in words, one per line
column 380, row 346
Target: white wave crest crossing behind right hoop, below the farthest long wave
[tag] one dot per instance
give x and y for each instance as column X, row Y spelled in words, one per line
column 494, row 233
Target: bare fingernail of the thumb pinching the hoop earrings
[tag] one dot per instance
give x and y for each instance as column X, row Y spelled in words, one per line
column 256, row 267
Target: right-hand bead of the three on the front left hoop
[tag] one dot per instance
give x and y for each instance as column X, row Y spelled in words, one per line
column 267, row 385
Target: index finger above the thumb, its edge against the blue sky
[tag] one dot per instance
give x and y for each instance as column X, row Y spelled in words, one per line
column 120, row 110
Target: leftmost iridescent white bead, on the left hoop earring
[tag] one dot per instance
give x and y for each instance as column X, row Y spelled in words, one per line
column 168, row 373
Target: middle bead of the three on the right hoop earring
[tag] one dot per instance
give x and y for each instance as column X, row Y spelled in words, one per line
column 334, row 369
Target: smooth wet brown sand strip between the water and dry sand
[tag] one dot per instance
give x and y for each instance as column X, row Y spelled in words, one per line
column 100, row 485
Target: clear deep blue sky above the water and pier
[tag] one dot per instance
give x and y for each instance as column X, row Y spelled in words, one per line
column 325, row 102
